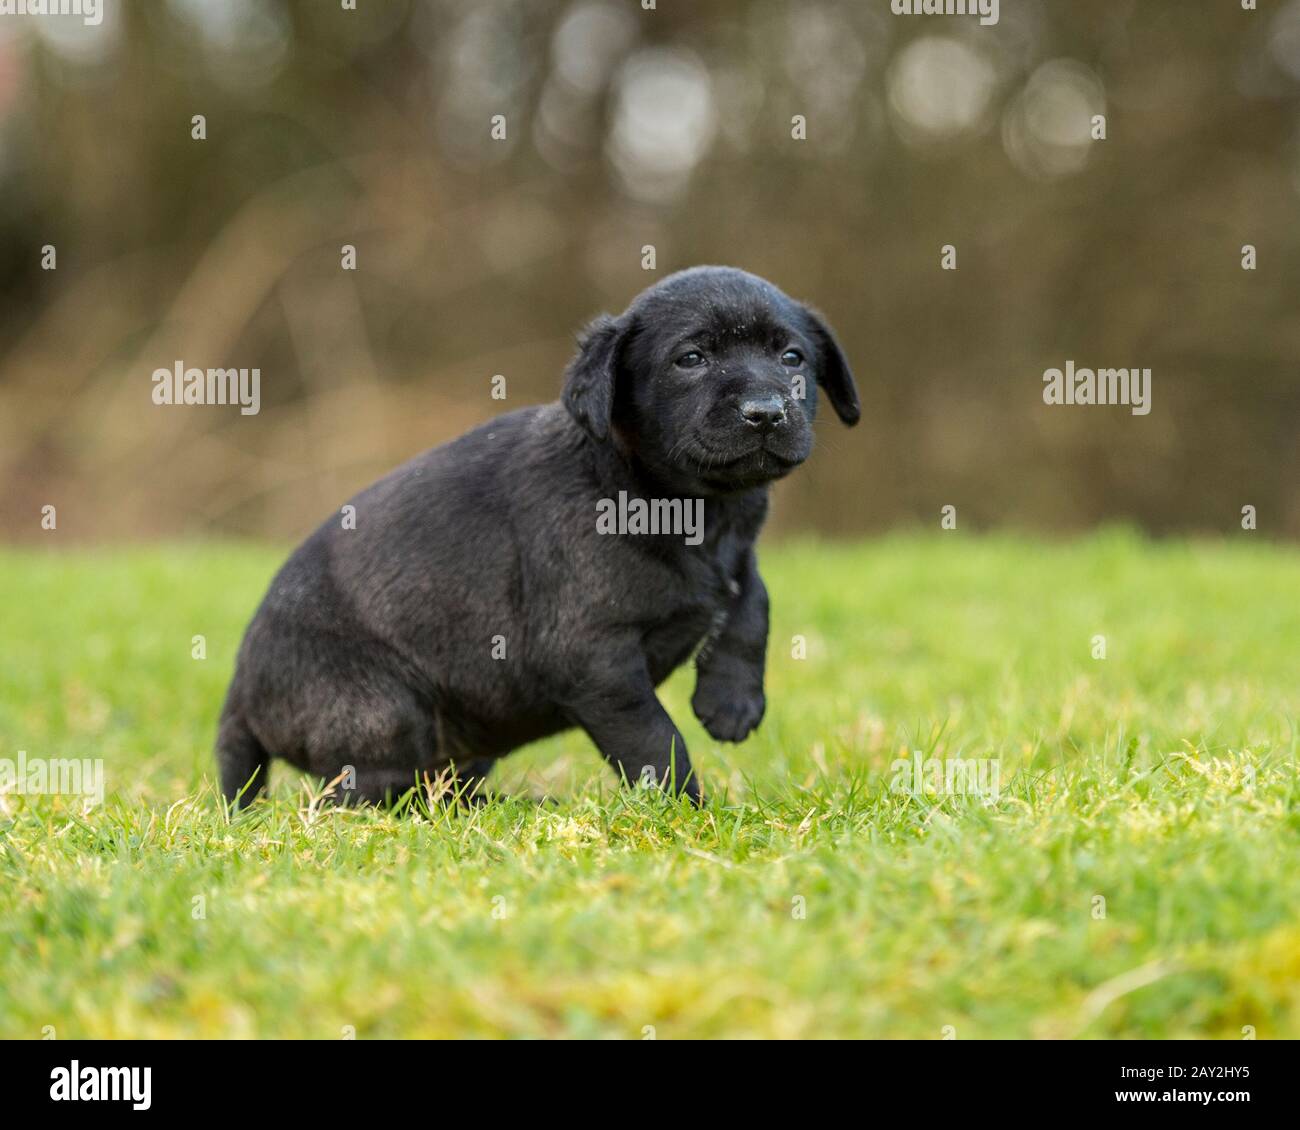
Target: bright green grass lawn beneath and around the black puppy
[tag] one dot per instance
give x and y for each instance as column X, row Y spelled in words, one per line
column 1162, row 780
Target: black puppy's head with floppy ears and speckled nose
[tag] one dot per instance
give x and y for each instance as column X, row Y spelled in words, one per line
column 710, row 379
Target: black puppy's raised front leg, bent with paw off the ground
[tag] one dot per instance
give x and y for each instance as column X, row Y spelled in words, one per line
column 729, row 698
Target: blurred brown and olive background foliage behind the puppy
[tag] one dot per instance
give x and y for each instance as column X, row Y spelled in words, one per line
column 630, row 129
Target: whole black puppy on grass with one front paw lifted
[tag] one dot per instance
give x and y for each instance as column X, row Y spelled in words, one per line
column 476, row 605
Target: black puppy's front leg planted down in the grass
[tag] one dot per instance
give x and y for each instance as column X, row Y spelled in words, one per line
column 634, row 731
